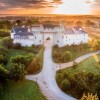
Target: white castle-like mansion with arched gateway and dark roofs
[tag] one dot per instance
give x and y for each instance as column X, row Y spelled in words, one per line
column 57, row 34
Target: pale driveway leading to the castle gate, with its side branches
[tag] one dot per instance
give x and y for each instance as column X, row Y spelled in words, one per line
column 46, row 78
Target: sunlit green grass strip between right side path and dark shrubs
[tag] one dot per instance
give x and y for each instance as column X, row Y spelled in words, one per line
column 88, row 65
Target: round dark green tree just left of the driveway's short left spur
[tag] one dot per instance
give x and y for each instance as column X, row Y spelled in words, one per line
column 17, row 72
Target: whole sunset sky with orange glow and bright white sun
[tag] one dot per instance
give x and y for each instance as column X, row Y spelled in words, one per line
column 87, row 7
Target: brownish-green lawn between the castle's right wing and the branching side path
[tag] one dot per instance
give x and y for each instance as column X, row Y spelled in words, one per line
column 76, row 51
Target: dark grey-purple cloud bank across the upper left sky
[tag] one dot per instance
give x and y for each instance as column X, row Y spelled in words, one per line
column 26, row 4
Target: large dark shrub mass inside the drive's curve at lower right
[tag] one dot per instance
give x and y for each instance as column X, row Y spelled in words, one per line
column 79, row 83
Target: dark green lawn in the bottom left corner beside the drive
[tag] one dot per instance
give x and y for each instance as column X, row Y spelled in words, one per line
column 24, row 90
